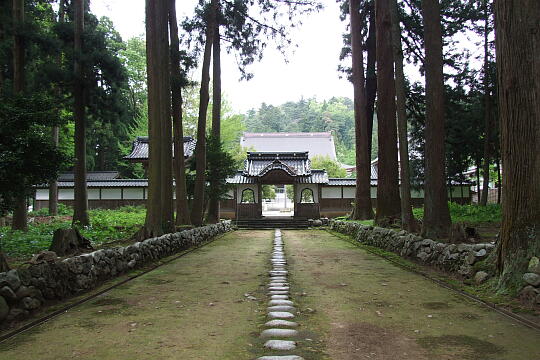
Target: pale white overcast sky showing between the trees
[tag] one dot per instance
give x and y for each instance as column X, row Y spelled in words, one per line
column 311, row 69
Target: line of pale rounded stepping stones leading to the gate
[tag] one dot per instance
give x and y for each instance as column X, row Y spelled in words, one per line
column 281, row 311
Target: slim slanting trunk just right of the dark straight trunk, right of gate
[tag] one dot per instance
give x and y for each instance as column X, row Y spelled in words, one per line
column 407, row 220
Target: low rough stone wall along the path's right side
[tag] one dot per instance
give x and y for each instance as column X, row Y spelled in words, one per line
column 458, row 258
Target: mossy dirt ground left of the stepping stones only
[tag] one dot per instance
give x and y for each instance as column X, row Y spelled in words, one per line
column 192, row 308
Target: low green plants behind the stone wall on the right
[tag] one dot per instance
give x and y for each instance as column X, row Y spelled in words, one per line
column 470, row 214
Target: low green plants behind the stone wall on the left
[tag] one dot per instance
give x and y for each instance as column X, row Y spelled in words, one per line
column 106, row 226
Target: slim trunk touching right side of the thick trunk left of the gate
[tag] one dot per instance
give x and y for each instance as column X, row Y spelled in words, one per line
column 182, row 209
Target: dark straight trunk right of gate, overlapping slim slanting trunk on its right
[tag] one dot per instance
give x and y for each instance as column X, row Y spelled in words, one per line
column 388, row 202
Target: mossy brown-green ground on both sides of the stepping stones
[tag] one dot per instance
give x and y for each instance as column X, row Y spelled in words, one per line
column 353, row 305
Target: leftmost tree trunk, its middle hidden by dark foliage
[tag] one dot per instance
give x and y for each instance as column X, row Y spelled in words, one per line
column 20, row 213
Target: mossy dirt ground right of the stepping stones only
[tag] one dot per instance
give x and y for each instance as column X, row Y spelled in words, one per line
column 363, row 307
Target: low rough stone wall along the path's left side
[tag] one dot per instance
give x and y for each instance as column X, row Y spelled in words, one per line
column 28, row 288
